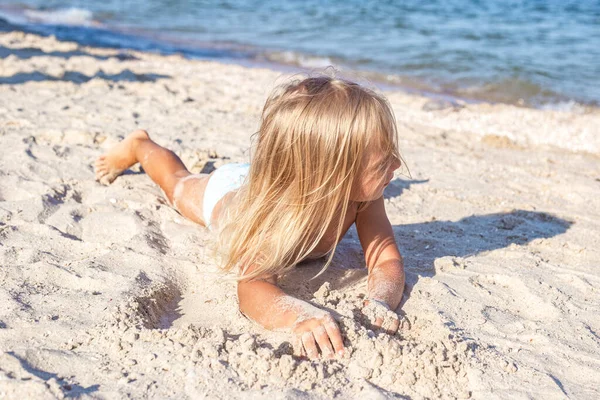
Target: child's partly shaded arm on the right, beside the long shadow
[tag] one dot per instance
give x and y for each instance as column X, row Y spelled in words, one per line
column 384, row 262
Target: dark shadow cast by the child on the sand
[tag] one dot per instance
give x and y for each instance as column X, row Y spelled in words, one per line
column 422, row 243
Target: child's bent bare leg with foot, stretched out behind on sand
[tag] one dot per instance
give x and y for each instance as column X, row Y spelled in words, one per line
column 184, row 190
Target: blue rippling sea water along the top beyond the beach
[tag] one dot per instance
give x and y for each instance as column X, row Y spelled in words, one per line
column 530, row 52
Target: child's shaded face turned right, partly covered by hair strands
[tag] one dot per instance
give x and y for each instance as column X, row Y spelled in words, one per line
column 377, row 173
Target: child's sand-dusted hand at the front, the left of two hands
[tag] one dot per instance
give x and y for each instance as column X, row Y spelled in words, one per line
column 318, row 333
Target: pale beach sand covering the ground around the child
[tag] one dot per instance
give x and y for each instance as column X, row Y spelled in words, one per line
column 107, row 292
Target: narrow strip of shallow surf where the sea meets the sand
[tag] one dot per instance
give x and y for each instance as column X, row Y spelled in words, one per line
column 128, row 38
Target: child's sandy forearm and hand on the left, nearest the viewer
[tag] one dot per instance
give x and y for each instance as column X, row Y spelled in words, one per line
column 265, row 303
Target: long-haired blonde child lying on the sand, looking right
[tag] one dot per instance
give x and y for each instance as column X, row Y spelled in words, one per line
column 325, row 151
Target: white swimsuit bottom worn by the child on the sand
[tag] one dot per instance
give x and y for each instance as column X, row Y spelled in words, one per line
column 223, row 180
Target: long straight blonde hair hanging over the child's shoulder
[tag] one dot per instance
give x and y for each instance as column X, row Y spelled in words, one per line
column 309, row 151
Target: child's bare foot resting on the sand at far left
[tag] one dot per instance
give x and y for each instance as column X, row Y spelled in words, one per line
column 112, row 164
